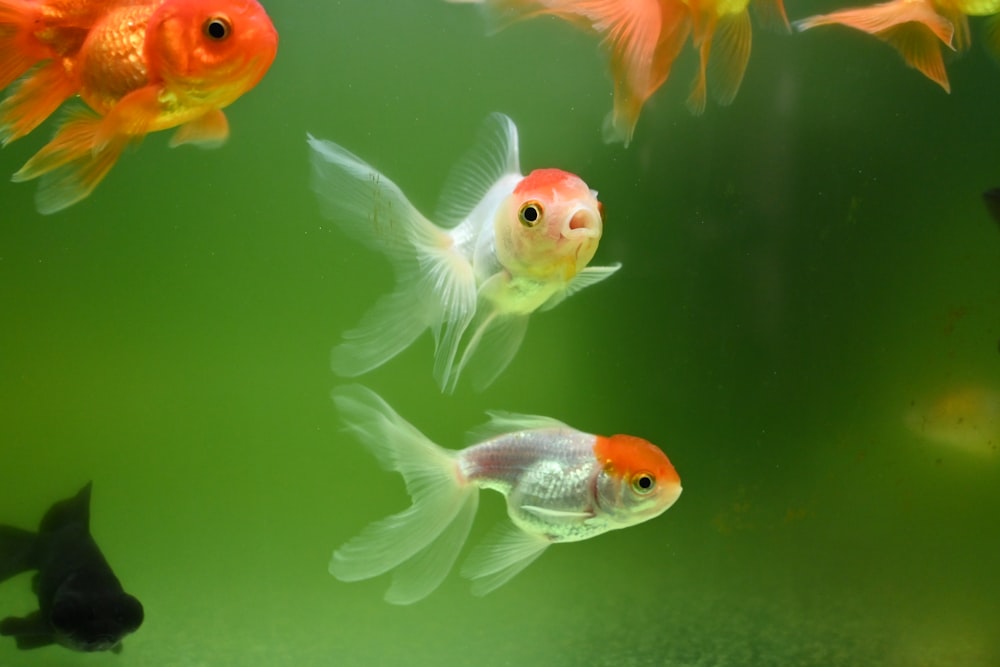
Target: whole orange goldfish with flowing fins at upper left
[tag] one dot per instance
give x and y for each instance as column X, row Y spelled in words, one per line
column 140, row 66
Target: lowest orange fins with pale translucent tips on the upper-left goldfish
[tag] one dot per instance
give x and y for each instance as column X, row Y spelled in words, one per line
column 71, row 165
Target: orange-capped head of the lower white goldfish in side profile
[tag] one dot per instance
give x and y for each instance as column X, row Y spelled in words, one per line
column 636, row 481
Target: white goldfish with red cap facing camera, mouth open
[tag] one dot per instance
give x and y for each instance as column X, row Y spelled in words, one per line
column 505, row 245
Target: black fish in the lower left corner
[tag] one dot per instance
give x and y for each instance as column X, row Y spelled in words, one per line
column 81, row 604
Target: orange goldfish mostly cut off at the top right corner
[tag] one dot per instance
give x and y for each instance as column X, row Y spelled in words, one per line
column 917, row 29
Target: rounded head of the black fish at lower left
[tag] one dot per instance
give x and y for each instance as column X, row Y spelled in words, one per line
column 93, row 621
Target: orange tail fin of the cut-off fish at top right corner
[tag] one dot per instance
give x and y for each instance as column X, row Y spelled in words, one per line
column 909, row 26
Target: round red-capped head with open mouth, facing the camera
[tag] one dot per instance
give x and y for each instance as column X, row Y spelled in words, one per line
column 549, row 227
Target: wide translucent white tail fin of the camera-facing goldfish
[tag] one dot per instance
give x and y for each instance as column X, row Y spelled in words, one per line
column 436, row 286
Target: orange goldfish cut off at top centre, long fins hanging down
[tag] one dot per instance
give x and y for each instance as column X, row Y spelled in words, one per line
column 645, row 37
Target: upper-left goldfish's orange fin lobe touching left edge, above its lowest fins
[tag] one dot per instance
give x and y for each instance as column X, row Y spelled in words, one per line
column 35, row 99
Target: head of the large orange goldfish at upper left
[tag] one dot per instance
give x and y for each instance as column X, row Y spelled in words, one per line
column 209, row 52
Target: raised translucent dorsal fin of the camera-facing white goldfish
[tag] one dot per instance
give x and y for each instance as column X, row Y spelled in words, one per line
column 493, row 156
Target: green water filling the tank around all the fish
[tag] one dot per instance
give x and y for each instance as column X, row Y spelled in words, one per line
column 798, row 269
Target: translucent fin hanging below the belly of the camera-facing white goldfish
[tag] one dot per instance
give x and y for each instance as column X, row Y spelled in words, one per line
column 494, row 342
